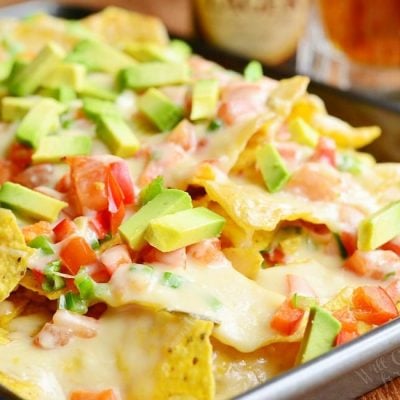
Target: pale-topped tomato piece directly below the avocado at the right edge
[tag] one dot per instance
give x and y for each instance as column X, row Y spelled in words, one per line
column 373, row 264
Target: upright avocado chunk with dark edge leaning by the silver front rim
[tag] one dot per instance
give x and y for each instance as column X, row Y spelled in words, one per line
column 319, row 337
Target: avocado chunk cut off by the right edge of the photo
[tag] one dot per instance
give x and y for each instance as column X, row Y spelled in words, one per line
column 379, row 228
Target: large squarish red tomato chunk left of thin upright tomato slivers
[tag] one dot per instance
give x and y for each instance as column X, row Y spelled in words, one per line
column 88, row 184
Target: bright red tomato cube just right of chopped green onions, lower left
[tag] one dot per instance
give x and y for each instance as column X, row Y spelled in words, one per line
column 77, row 253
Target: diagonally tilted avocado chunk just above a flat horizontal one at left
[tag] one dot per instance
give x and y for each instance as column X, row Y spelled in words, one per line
column 40, row 121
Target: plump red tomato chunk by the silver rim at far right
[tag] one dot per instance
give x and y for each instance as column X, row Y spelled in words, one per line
column 373, row 305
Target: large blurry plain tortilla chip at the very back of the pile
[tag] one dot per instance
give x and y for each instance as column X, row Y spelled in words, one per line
column 119, row 26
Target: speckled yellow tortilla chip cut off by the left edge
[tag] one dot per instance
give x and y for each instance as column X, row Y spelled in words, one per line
column 14, row 253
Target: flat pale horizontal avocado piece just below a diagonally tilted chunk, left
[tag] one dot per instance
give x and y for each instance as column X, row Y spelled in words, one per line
column 54, row 148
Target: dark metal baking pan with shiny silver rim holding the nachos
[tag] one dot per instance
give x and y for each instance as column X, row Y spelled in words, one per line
column 356, row 367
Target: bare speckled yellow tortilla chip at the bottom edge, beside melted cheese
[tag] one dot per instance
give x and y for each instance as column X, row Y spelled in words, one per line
column 186, row 371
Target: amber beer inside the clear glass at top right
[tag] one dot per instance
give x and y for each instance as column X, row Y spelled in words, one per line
column 367, row 31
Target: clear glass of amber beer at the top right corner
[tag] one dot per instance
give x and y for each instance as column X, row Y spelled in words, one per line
column 353, row 44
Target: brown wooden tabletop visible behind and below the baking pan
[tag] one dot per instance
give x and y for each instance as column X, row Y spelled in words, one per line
column 177, row 14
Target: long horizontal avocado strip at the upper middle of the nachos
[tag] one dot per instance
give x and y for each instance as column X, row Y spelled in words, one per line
column 145, row 75
